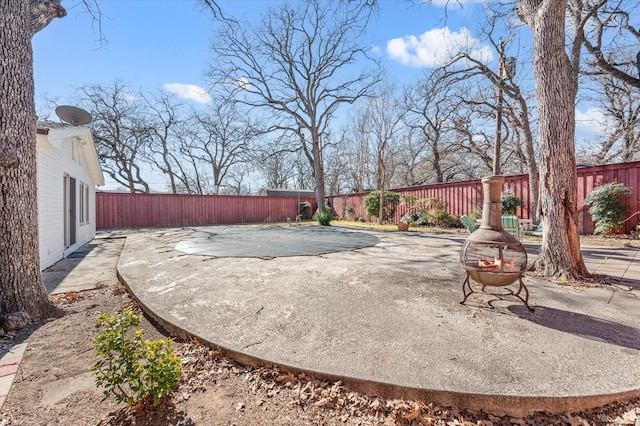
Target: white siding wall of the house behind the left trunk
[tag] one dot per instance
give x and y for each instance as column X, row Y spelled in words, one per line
column 55, row 160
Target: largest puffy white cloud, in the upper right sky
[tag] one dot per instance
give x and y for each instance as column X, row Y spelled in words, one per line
column 436, row 47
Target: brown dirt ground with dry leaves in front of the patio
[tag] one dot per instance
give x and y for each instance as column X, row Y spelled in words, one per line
column 54, row 386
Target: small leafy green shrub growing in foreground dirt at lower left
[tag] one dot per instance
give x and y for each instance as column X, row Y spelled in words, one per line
column 132, row 369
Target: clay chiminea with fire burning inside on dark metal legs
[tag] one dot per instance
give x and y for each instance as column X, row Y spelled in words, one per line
column 490, row 255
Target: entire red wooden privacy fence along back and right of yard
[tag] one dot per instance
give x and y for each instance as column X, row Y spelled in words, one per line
column 115, row 210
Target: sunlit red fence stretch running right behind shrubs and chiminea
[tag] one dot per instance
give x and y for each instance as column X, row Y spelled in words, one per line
column 462, row 197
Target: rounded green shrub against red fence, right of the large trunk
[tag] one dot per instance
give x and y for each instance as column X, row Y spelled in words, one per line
column 607, row 209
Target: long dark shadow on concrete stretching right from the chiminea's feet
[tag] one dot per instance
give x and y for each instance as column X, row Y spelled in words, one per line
column 586, row 326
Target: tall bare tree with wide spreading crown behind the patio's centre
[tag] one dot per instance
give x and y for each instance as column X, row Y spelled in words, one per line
column 296, row 64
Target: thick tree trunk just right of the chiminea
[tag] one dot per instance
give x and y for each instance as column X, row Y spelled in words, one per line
column 560, row 252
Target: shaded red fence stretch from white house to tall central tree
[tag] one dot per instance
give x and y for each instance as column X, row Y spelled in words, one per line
column 126, row 210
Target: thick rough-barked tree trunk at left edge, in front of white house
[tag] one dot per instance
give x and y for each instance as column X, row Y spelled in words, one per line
column 22, row 292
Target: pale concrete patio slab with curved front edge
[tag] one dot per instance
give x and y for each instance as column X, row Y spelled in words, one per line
column 386, row 319
